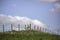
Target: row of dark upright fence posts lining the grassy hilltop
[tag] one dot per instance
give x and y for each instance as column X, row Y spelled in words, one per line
column 27, row 27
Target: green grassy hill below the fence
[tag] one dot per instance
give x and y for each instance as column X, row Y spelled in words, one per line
column 28, row 35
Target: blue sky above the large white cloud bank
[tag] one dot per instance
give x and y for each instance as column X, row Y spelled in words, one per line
column 46, row 11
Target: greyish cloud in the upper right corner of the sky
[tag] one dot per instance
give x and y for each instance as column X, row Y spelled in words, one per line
column 57, row 5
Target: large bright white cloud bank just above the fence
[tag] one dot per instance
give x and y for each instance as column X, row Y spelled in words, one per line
column 7, row 19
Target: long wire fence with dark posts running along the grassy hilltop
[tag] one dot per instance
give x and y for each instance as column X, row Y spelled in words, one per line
column 18, row 27
